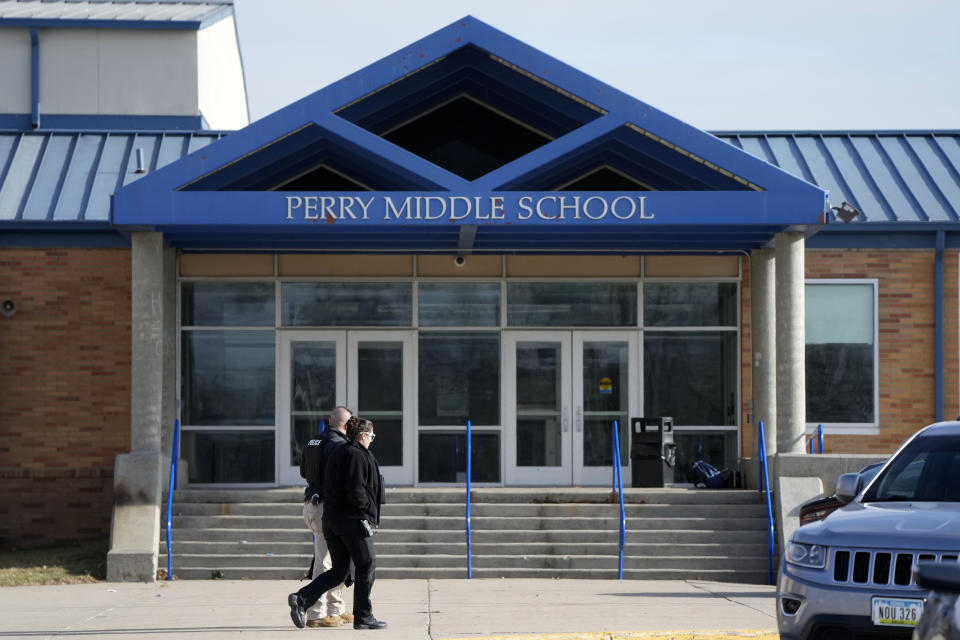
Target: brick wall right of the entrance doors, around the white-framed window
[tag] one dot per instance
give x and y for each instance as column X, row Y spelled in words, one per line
column 906, row 341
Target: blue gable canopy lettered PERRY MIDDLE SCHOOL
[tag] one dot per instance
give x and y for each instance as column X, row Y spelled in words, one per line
column 469, row 140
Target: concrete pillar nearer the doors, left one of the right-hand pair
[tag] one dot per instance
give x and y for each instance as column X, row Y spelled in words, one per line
column 763, row 332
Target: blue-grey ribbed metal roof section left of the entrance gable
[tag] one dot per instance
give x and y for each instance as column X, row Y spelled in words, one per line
column 62, row 177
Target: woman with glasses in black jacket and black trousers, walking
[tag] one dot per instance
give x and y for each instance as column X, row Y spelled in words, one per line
column 352, row 495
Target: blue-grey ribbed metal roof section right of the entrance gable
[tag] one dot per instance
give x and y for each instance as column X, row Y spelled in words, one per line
column 890, row 176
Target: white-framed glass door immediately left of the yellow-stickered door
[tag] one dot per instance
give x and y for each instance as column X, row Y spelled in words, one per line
column 537, row 398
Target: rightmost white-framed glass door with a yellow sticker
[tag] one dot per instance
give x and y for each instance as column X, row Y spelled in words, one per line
column 605, row 387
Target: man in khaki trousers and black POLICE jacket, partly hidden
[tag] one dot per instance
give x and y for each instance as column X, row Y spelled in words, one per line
column 329, row 609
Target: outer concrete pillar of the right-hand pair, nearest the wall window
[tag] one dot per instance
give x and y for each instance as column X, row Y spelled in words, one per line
column 791, row 342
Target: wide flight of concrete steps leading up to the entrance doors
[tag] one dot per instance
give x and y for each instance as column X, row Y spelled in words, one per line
column 541, row 532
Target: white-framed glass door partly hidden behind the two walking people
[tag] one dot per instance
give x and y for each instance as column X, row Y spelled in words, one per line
column 381, row 381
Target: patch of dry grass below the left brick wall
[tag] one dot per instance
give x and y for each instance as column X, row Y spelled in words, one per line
column 70, row 564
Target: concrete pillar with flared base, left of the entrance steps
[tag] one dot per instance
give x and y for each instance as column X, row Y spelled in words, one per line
column 137, row 482
